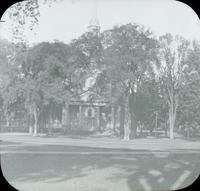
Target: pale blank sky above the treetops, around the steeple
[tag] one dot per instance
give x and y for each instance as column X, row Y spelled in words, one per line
column 68, row 19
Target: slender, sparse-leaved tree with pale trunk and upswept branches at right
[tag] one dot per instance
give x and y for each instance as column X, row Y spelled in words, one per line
column 173, row 54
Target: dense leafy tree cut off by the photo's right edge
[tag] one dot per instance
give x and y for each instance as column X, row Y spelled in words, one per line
column 189, row 99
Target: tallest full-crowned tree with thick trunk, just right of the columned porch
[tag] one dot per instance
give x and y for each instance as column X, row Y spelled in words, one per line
column 129, row 56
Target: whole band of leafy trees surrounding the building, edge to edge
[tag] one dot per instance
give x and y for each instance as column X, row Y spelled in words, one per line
column 145, row 78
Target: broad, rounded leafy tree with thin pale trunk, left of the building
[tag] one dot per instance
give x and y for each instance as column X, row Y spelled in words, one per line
column 47, row 72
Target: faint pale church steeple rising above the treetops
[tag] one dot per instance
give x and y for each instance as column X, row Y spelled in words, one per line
column 94, row 25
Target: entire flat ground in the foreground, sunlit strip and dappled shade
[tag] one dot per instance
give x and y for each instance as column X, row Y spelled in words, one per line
column 98, row 163
